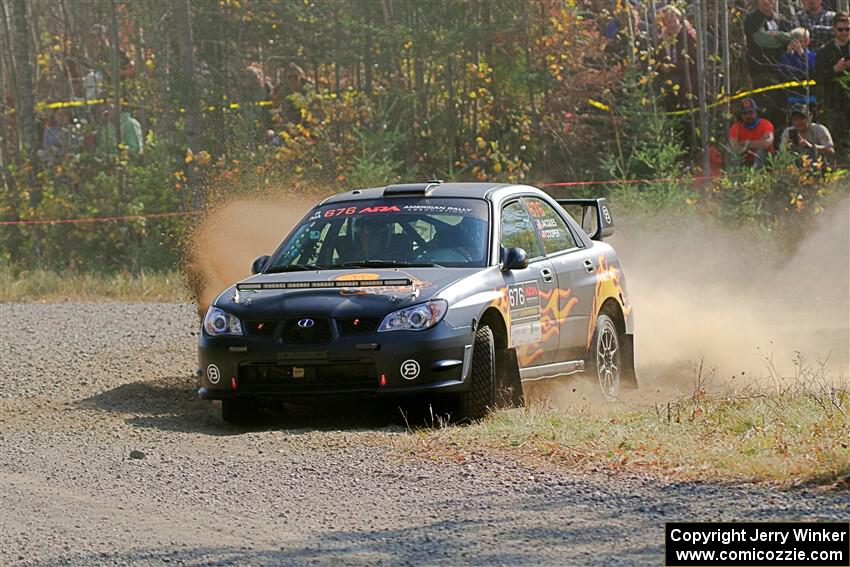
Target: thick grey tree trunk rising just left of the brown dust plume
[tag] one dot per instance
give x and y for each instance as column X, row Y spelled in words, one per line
column 188, row 97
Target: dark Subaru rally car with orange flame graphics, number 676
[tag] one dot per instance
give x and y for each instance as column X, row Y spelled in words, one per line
column 463, row 289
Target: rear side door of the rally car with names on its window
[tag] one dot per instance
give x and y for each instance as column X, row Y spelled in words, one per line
column 576, row 276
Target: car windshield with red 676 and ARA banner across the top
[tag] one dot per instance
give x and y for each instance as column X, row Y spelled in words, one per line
column 396, row 232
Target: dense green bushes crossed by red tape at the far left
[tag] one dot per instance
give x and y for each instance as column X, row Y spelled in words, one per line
column 87, row 185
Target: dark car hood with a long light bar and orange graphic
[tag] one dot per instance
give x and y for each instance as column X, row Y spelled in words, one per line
column 337, row 293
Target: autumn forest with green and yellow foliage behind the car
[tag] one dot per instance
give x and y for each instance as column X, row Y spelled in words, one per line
column 253, row 97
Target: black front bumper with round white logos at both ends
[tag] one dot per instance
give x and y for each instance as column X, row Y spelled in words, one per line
column 389, row 363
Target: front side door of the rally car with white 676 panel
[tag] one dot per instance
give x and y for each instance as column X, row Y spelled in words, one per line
column 533, row 331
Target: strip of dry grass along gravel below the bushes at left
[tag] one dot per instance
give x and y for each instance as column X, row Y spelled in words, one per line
column 49, row 286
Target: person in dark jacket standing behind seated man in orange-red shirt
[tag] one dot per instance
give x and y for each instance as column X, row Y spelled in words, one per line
column 767, row 37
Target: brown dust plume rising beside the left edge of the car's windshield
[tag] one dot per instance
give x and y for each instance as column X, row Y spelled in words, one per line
column 235, row 232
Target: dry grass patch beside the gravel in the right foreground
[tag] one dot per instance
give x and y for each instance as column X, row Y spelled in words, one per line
column 793, row 431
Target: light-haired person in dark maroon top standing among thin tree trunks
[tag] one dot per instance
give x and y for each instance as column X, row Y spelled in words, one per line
column 677, row 66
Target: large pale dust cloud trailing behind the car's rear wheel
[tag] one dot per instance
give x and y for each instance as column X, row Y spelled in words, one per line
column 742, row 307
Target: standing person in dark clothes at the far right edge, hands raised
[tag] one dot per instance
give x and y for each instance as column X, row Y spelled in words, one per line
column 832, row 73
